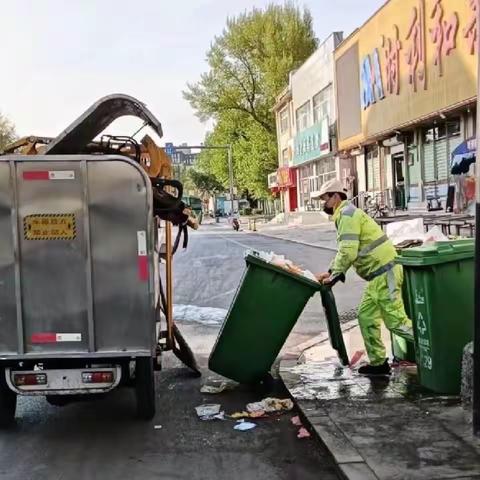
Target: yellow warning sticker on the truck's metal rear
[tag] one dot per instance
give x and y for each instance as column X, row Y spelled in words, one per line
column 50, row 226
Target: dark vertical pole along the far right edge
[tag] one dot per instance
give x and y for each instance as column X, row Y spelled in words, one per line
column 476, row 337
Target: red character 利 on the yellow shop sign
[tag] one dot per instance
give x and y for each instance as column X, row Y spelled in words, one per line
column 415, row 55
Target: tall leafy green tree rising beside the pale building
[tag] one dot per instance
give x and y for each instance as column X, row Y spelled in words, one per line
column 249, row 64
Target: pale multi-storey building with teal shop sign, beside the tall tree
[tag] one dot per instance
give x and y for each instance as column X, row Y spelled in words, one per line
column 306, row 131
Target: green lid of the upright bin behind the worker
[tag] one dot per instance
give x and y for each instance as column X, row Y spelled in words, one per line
column 437, row 253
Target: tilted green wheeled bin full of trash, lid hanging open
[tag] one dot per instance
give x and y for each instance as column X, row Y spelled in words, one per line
column 266, row 306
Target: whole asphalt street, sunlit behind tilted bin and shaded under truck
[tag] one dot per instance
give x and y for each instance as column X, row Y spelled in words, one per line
column 101, row 439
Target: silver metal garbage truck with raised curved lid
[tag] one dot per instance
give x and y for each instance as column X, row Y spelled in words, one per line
column 85, row 261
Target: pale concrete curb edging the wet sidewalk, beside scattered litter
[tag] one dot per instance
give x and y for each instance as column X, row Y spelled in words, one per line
column 349, row 462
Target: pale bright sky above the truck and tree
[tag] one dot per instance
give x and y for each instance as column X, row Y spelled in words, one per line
column 60, row 56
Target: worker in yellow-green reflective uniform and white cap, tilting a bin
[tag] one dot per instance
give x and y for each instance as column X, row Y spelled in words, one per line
column 363, row 245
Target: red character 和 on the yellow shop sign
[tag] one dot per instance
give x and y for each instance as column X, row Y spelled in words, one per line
column 443, row 34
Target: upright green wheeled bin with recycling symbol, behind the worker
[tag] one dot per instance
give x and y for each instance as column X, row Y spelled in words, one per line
column 439, row 283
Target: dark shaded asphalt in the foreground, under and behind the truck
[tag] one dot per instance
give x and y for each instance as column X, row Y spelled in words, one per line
column 101, row 440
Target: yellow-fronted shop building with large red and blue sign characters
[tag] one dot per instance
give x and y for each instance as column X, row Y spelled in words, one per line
column 406, row 92
